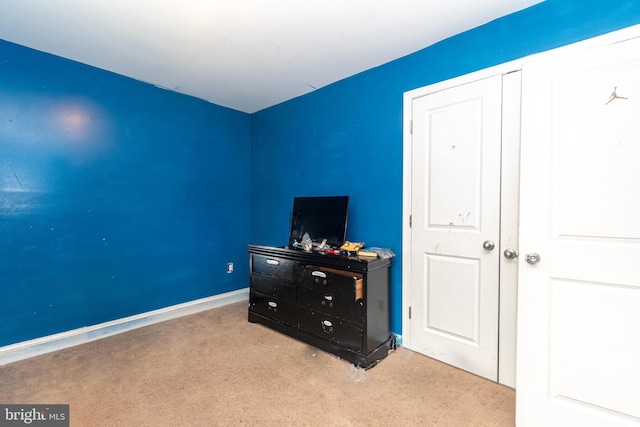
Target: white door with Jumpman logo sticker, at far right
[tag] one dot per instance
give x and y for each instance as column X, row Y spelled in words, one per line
column 579, row 307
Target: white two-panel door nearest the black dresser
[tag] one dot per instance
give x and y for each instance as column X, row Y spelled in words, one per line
column 456, row 208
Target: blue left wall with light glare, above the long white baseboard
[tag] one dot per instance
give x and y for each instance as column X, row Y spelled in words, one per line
column 116, row 197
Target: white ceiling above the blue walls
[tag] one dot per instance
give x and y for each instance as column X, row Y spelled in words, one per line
column 242, row 54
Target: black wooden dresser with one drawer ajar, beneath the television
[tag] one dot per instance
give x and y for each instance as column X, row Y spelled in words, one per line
column 337, row 303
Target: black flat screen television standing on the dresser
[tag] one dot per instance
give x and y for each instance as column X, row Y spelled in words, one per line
column 321, row 217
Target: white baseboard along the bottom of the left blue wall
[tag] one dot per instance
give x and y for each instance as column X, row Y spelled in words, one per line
column 26, row 349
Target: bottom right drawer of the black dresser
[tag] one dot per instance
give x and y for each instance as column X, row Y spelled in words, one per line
column 330, row 328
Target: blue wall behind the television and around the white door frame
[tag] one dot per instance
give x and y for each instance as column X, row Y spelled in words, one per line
column 347, row 138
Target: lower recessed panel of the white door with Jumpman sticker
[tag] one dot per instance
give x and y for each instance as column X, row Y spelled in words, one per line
column 574, row 330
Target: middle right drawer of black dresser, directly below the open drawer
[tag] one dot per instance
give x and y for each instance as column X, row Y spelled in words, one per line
column 325, row 301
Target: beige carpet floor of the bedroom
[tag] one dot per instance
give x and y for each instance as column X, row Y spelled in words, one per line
column 217, row 369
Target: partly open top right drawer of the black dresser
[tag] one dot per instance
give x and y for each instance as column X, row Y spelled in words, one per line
column 339, row 283
